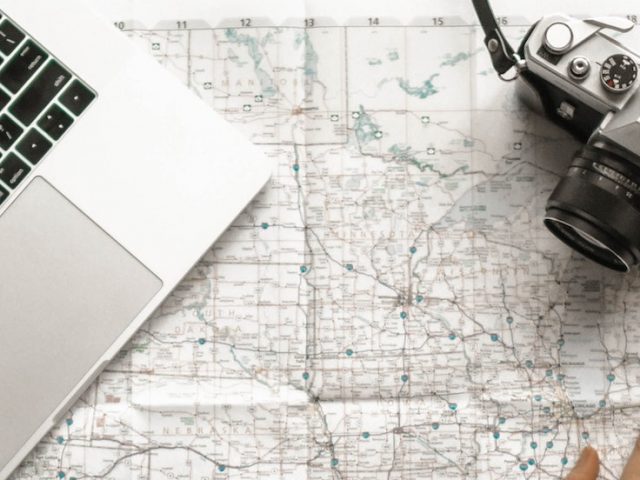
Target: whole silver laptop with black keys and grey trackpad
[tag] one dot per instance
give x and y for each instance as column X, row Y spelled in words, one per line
column 114, row 181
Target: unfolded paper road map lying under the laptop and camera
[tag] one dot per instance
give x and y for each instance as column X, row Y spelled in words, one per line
column 392, row 305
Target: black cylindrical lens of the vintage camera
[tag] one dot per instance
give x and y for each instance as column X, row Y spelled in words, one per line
column 595, row 209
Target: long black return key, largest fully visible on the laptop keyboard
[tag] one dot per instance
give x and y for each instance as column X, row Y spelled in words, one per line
column 44, row 88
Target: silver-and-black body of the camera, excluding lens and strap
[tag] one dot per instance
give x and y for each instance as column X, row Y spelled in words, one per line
column 583, row 78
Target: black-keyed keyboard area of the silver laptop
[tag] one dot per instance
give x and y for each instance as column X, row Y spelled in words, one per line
column 40, row 99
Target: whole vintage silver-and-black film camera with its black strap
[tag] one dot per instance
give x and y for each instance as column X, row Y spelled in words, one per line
column 579, row 74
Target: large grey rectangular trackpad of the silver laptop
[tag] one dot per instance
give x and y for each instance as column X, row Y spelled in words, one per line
column 67, row 291
